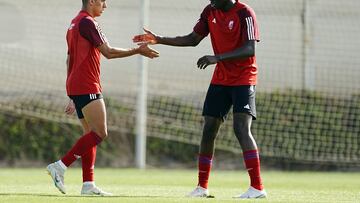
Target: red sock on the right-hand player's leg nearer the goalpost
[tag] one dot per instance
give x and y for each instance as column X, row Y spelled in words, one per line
column 204, row 166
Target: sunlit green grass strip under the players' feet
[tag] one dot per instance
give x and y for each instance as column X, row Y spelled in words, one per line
column 131, row 185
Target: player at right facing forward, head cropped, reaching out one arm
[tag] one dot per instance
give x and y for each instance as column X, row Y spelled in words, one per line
column 234, row 32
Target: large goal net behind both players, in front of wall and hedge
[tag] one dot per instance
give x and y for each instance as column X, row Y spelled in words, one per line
column 308, row 92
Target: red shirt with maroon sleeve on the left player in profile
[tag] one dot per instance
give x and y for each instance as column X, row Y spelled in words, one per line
column 83, row 37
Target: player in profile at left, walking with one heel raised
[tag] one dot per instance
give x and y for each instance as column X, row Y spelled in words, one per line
column 86, row 42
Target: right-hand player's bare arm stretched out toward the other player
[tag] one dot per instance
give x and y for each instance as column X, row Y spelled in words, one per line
column 192, row 39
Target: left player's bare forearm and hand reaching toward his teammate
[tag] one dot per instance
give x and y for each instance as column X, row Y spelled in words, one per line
column 113, row 52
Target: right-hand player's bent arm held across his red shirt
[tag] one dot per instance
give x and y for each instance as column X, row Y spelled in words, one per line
column 245, row 51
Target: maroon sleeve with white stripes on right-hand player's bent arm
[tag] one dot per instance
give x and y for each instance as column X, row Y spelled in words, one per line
column 249, row 26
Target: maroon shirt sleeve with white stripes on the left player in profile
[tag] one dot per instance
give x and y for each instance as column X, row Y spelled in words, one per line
column 92, row 32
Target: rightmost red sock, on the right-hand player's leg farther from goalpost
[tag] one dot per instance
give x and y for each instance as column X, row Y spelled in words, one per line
column 252, row 164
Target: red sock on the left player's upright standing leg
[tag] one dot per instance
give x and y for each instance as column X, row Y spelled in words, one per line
column 88, row 163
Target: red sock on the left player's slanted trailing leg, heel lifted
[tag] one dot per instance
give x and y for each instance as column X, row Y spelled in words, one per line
column 84, row 144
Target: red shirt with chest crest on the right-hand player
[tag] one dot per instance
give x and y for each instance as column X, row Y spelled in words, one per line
column 229, row 30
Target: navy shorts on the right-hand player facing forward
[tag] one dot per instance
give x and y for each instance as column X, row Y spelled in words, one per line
column 219, row 100
